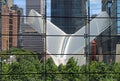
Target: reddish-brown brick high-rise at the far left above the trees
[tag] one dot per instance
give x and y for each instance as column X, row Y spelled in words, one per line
column 11, row 21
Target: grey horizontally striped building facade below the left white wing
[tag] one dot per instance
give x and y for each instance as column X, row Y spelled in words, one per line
column 31, row 39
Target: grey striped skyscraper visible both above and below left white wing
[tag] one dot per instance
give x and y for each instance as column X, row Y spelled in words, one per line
column 31, row 39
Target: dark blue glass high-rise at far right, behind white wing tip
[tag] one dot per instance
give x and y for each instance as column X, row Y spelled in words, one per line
column 111, row 36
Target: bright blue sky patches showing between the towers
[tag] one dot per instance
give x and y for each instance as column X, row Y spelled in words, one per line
column 95, row 6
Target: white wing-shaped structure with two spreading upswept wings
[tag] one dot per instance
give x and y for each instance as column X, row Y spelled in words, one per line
column 66, row 46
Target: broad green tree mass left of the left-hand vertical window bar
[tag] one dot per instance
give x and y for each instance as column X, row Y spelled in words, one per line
column 27, row 66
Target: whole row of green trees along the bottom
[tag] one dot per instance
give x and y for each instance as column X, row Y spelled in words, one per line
column 28, row 67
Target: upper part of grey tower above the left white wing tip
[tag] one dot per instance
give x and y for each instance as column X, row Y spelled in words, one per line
column 33, row 4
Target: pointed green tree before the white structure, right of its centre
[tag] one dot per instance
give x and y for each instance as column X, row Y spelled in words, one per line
column 73, row 71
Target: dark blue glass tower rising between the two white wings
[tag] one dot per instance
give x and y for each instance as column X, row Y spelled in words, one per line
column 68, row 15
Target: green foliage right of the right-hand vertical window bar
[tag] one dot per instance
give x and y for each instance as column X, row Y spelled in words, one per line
column 101, row 71
